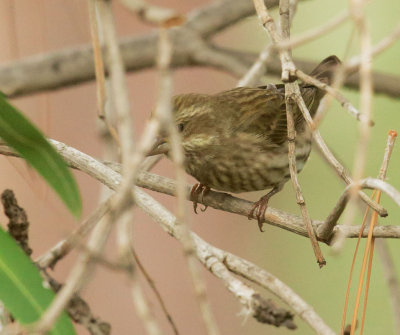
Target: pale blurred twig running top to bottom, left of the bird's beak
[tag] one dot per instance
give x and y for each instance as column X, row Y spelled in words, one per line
column 130, row 160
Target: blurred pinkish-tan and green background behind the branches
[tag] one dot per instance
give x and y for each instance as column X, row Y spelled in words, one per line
column 69, row 115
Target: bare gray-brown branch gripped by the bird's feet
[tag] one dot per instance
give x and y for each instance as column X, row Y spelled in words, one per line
column 217, row 200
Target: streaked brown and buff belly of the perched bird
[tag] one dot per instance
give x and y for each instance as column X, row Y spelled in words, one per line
column 247, row 171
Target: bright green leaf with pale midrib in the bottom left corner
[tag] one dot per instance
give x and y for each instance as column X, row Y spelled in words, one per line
column 22, row 290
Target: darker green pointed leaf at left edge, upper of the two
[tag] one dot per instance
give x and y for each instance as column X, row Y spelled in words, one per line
column 21, row 135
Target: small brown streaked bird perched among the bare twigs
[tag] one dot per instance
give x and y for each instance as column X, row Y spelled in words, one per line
column 236, row 140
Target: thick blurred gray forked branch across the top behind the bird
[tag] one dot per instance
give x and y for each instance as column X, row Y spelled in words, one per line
column 74, row 66
